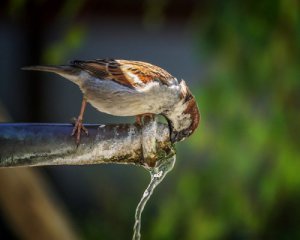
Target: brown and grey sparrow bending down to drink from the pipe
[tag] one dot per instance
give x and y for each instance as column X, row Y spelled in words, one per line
column 131, row 88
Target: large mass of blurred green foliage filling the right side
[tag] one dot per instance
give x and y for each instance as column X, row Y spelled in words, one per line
column 247, row 146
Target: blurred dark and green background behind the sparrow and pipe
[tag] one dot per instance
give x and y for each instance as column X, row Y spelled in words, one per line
column 237, row 177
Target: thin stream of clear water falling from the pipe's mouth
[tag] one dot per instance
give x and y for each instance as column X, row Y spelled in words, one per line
column 157, row 175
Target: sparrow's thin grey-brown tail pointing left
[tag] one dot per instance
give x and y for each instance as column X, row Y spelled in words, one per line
column 69, row 72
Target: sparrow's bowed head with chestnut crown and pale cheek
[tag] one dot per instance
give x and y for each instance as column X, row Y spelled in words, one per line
column 184, row 116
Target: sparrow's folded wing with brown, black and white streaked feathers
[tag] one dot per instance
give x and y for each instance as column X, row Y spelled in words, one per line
column 129, row 73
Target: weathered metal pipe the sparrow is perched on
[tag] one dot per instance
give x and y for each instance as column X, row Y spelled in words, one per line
column 24, row 144
